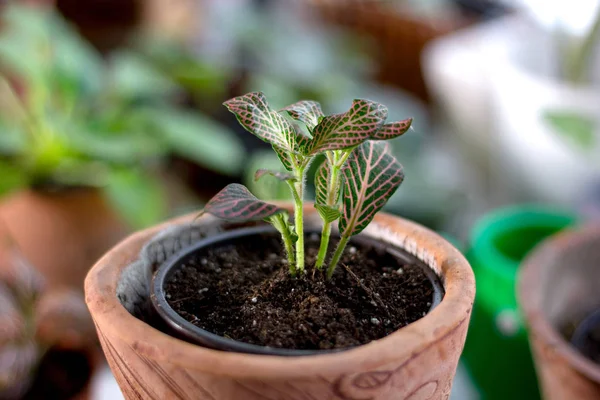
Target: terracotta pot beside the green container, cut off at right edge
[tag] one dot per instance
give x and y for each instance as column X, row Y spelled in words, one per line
column 558, row 286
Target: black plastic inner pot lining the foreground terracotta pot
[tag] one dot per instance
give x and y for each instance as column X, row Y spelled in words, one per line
column 182, row 328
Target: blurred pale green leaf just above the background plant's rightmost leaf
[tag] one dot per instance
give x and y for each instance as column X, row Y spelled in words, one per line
column 132, row 77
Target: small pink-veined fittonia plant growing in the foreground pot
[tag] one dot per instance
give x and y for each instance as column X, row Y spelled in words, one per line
column 354, row 182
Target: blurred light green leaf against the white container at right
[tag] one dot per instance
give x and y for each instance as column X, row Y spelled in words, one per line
column 575, row 128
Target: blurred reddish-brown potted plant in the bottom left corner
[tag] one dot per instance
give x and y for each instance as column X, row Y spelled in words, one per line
column 48, row 348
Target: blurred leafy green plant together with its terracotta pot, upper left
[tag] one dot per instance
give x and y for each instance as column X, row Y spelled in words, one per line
column 81, row 138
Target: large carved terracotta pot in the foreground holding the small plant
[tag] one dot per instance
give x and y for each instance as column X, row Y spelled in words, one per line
column 416, row 362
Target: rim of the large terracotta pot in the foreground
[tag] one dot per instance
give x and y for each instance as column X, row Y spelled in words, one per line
column 454, row 311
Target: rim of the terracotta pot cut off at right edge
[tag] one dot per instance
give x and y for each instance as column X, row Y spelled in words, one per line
column 528, row 296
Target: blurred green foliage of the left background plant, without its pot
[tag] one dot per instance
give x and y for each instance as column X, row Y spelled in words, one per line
column 69, row 118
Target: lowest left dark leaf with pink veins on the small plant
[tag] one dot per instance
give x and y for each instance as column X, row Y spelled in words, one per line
column 235, row 203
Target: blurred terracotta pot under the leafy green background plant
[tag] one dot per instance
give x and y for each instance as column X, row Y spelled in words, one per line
column 62, row 234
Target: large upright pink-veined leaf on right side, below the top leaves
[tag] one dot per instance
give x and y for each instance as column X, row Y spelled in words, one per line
column 371, row 177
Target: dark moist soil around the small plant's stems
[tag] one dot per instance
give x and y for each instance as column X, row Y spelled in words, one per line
column 245, row 292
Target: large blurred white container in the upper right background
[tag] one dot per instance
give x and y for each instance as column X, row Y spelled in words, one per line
column 493, row 82
